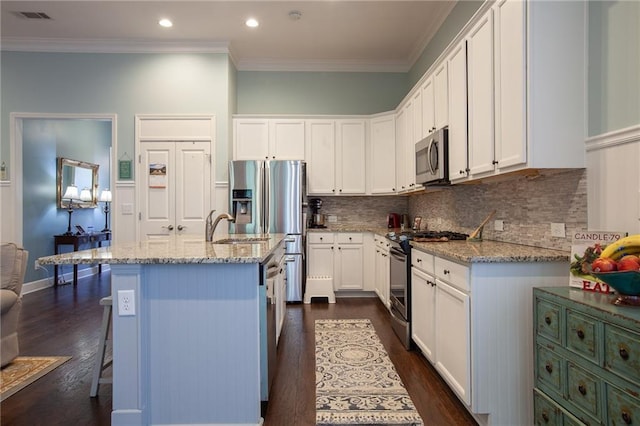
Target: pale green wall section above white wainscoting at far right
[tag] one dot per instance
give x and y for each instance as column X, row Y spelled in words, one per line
column 614, row 65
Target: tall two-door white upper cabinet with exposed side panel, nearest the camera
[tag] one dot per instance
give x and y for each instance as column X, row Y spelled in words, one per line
column 526, row 87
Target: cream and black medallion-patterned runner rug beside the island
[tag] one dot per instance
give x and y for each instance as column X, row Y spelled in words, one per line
column 356, row 383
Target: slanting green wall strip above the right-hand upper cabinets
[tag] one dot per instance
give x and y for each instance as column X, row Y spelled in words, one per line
column 457, row 19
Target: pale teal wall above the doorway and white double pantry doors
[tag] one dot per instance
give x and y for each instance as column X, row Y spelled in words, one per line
column 125, row 84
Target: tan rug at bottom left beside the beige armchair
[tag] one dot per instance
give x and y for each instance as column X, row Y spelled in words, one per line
column 25, row 370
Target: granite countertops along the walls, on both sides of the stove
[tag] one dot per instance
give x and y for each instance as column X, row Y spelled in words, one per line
column 466, row 251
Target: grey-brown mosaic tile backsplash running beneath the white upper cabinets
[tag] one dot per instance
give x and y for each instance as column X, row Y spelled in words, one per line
column 527, row 206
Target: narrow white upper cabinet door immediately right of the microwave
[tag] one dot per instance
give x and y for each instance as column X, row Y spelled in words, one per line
column 457, row 102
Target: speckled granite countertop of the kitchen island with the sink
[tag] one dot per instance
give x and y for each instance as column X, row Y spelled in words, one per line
column 173, row 250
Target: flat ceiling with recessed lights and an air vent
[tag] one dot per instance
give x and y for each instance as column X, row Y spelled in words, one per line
column 350, row 35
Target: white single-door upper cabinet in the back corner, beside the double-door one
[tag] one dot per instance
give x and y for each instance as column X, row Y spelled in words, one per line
column 382, row 175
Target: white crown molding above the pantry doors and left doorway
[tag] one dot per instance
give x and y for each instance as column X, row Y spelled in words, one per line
column 60, row 45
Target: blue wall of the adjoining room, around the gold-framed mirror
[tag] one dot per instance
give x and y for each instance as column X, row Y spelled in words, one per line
column 43, row 141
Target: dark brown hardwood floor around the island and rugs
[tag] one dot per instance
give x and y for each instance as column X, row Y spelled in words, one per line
column 66, row 321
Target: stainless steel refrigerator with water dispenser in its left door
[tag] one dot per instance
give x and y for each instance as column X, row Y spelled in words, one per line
column 269, row 197
